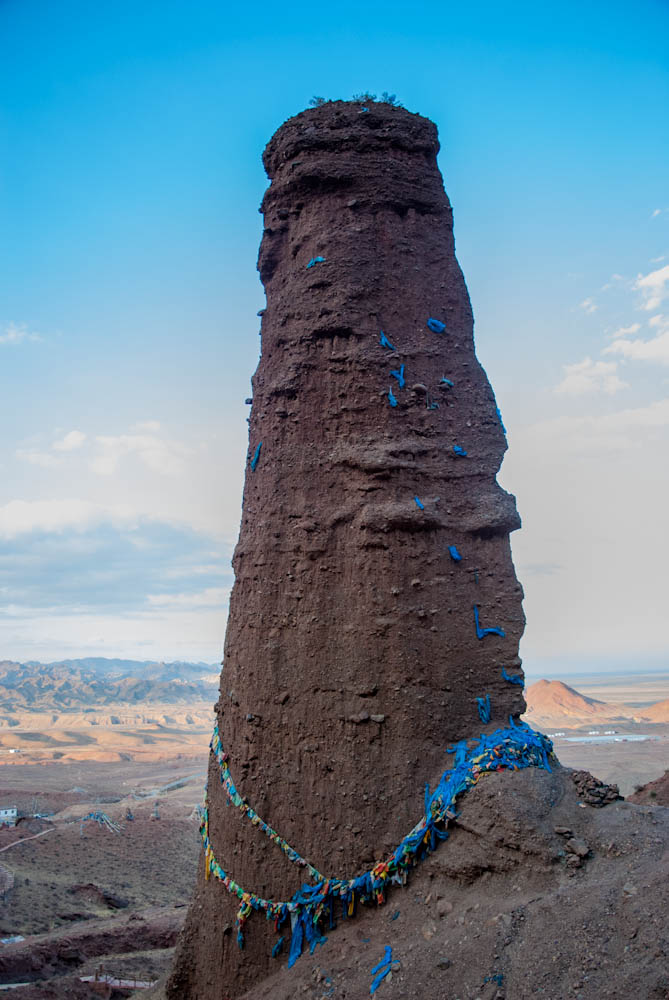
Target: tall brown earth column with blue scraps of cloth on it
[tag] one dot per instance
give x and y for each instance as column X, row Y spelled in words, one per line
column 351, row 656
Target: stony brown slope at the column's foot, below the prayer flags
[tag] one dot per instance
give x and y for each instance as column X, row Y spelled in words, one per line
column 508, row 910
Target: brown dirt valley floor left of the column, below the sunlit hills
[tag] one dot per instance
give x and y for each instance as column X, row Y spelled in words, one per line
column 104, row 898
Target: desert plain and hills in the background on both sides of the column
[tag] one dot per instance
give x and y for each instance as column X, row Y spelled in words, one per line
column 85, row 896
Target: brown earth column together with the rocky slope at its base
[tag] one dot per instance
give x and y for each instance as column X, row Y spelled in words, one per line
column 351, row 655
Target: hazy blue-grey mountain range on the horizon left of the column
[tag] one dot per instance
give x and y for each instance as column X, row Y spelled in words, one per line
column 94, row 683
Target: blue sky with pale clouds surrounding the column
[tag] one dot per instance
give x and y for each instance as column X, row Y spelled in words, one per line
column 130, row 178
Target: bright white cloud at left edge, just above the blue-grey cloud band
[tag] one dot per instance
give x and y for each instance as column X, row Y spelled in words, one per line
column 19, row 517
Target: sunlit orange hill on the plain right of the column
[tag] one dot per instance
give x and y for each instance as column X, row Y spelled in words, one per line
column 552, row 703
